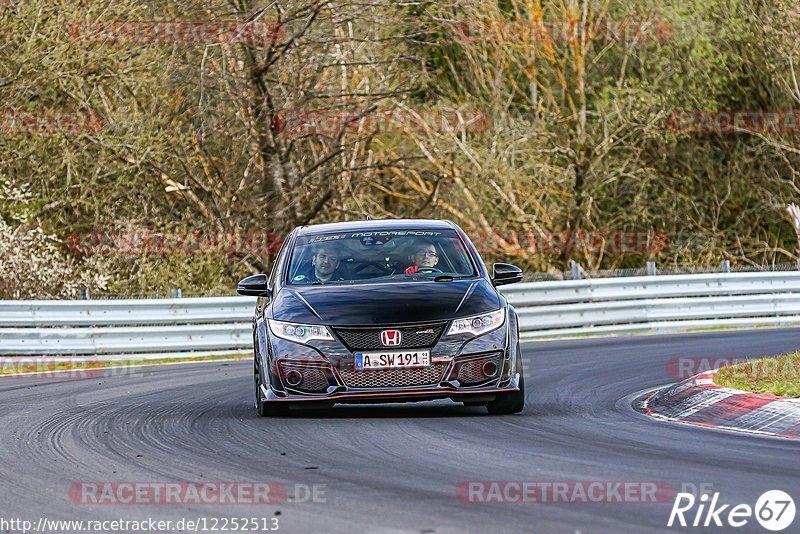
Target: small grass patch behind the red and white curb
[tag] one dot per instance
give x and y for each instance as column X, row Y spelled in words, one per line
column 776, row 376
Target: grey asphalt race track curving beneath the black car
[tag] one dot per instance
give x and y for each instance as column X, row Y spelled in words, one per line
column 390, row 468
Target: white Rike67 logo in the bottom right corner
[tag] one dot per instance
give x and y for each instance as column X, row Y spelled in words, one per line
column 774, row 510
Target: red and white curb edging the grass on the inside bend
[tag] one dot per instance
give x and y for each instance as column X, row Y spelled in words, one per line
column 700, row 401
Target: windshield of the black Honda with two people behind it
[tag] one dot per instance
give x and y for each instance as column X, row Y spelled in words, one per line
column 349, row 257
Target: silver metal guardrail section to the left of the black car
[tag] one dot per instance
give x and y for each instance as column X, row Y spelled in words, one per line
column 135, row 326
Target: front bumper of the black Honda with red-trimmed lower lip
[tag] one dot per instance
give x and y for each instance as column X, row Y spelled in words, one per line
column 463, row 368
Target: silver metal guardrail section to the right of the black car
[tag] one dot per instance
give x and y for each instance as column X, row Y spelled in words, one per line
column 656, row 303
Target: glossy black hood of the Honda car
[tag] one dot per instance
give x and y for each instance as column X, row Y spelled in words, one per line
column 386, row 303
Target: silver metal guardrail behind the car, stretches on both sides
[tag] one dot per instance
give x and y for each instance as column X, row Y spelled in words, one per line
column 546, row 309
